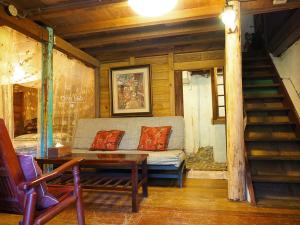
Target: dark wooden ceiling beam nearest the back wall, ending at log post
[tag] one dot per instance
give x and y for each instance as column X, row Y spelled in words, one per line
column 161, row 42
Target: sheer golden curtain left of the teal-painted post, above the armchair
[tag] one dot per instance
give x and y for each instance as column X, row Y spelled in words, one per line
column 20, row 63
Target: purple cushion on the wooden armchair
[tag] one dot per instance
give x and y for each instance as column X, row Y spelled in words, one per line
column 32, row 171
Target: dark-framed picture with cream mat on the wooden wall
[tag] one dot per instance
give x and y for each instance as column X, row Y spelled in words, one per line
column 130, row 91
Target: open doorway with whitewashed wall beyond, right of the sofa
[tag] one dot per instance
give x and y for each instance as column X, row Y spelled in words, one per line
column 200, row 98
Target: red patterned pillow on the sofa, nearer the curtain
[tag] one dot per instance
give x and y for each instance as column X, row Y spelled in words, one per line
column 107, row 140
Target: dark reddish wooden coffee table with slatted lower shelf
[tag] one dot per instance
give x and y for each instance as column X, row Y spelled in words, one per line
column 92, row 180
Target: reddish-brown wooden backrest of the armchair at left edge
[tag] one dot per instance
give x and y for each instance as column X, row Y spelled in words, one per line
column 11, row 175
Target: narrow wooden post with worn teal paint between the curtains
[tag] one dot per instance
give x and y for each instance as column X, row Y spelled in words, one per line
column 47, row 94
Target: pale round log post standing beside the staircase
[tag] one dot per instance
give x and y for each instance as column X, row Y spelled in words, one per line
column 234, row 110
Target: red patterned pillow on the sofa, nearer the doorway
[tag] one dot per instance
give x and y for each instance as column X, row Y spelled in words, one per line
column 154, row 138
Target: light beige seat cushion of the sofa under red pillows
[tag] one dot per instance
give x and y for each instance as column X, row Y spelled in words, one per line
column 170, row 157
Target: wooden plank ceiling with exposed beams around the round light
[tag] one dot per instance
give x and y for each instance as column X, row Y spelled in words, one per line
column 111, row 30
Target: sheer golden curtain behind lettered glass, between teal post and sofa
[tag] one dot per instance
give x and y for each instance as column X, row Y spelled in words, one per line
column 73, row 96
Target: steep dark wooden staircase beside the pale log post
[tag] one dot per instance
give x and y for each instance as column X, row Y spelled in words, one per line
column 272, row 135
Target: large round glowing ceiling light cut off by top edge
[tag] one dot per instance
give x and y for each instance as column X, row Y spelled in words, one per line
column 152, row 8
